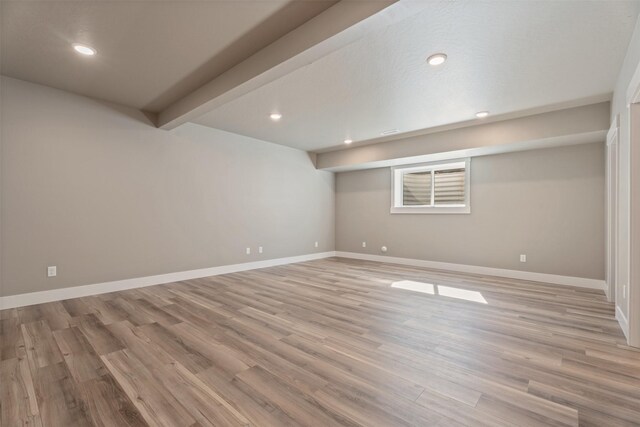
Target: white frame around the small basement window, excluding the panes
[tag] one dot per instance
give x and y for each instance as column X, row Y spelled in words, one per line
column 397, row 206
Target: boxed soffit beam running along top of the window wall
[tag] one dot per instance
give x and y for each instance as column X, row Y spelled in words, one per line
column 577, row 125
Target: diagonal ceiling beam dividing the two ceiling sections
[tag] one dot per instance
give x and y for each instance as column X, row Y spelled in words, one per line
column 336, row 27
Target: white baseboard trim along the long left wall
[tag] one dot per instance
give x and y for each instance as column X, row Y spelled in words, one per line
column 32, row 298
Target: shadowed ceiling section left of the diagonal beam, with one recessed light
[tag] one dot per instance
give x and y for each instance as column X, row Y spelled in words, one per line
column 150, row 53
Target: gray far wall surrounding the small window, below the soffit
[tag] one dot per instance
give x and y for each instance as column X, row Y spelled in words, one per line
column 548, row 204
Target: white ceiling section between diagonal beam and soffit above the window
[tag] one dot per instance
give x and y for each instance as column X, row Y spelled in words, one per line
column 503, row 57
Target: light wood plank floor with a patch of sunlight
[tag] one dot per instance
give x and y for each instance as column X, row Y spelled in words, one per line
column 322, row 343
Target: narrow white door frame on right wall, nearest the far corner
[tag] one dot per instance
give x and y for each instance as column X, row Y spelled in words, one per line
column 612, row 208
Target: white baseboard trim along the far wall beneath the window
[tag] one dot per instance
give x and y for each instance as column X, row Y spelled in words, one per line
column 475, row 269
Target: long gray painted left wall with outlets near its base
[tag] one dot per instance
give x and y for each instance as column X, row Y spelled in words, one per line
column 96, row 190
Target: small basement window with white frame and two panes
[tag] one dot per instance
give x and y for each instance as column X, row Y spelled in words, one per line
column 432, row 188
